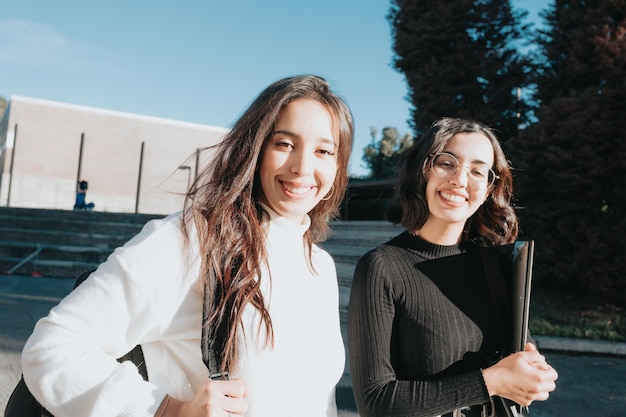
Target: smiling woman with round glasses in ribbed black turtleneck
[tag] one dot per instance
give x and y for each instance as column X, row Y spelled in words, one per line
column 423, row 331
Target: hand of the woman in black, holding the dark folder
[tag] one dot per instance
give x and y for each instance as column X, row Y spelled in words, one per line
column 522, row 377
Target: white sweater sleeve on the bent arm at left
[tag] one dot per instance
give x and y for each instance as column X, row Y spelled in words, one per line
column 69, row 362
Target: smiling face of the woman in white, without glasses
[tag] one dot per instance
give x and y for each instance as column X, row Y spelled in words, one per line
column 298, row 162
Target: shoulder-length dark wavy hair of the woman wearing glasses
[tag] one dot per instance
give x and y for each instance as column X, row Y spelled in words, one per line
column 494, row 223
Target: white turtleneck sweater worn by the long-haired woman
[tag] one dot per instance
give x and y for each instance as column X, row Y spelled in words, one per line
column 148, row 293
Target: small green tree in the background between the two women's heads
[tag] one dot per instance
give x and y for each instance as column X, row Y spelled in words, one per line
column 381, row 156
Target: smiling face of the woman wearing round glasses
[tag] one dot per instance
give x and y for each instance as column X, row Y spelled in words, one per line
column 452, row 201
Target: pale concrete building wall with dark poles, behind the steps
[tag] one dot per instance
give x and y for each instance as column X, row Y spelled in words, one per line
column 40, row 157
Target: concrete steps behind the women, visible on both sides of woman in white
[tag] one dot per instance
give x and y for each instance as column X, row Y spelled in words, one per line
column 64, row 243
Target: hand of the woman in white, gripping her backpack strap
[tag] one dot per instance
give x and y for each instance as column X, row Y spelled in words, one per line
column 217, row 398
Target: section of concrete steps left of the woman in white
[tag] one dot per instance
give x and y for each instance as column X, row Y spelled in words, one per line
column 61, row 243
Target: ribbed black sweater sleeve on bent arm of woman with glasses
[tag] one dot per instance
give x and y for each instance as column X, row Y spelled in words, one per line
column 377, row 389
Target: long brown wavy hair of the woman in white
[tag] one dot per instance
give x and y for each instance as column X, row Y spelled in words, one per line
column 223, row 204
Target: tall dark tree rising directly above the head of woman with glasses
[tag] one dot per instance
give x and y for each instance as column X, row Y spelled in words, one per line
column 461, row 58
